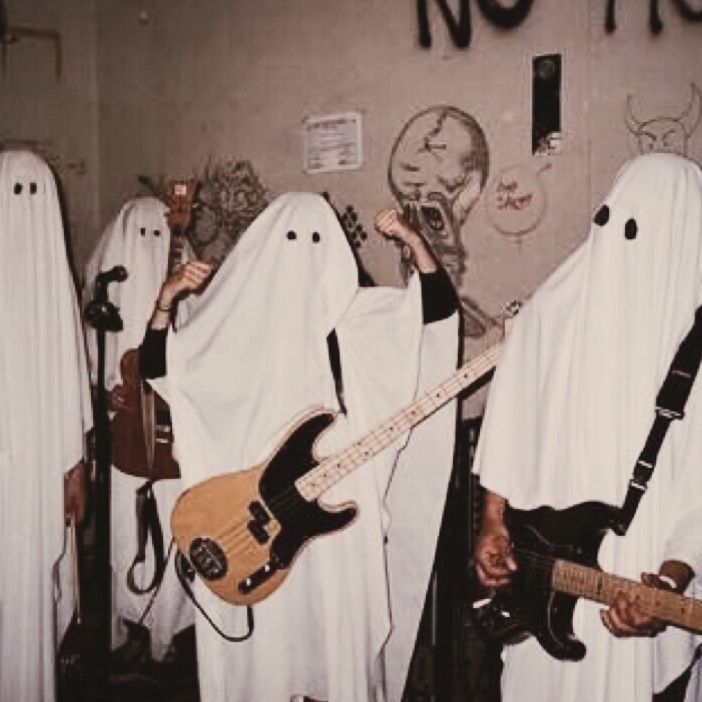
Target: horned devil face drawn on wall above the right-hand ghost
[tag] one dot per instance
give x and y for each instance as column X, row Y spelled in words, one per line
column 669, row 133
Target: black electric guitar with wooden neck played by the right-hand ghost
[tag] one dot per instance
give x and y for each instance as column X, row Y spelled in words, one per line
column 556, row 554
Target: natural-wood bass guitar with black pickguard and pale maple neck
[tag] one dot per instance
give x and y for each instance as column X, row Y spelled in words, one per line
column 242, row 531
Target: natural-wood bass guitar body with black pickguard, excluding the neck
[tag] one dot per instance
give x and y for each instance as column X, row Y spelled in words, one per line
column 242, row 531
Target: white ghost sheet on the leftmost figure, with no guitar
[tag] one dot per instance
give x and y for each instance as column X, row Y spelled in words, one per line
column 43, row 419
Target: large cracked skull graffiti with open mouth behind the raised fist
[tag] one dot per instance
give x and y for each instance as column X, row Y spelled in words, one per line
column 437, row 171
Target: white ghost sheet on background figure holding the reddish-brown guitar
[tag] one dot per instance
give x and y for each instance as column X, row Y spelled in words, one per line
column 138, row 239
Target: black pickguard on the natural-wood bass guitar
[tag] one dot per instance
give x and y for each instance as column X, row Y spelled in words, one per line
column 300, row 520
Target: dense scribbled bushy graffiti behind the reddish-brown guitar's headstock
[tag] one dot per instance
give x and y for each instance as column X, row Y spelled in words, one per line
column 229, row 198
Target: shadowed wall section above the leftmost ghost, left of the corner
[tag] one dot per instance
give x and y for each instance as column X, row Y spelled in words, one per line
column 56, row 115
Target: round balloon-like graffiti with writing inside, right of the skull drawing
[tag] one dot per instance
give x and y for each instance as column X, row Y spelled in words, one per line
column 515, row 201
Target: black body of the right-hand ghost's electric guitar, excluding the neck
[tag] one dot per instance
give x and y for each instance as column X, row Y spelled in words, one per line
column 529, row 605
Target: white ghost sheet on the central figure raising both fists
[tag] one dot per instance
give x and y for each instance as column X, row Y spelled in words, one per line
column 252, row 357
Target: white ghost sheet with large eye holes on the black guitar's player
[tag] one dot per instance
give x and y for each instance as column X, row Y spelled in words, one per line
column 573, row 401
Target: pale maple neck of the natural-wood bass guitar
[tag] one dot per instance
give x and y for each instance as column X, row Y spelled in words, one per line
column 333, row 469
